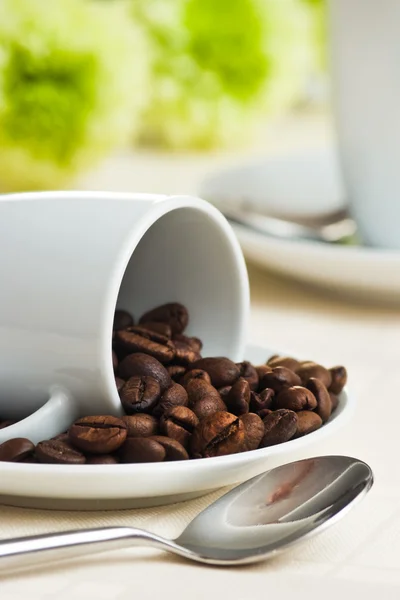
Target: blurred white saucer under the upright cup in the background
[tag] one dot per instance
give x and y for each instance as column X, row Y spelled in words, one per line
column 290, row 185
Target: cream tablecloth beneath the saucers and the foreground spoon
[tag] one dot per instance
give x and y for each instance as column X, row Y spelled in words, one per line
column 360, row 553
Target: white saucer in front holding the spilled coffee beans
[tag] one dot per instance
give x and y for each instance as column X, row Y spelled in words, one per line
column 103, row 487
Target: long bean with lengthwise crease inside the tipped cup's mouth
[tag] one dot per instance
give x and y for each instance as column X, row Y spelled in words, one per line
column 138, row 339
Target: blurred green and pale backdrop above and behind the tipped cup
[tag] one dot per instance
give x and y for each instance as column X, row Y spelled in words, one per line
column 155, row 94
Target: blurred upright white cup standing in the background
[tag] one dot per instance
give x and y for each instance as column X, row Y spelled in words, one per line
column 365, row 58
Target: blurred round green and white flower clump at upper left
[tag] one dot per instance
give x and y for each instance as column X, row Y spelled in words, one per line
column 70, row 87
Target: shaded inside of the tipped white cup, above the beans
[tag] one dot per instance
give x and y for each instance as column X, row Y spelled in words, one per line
column 190, row 256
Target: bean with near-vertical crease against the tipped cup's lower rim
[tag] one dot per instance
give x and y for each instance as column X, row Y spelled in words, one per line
column 140, row 394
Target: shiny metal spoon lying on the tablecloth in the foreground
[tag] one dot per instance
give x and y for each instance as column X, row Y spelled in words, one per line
column 248, row 524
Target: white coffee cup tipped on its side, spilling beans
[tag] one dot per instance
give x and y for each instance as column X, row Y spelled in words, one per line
column 68, row 259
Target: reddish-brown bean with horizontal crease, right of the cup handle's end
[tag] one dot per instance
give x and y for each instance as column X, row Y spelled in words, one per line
column 101, row 434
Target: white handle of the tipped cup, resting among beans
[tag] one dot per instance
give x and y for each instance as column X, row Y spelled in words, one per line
column 54, row 417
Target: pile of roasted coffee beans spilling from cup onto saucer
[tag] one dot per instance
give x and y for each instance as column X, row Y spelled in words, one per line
column 181, row 405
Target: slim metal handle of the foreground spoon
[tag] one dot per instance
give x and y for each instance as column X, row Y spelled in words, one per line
column 24, row 552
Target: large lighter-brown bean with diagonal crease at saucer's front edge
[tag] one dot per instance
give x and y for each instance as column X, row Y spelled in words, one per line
column 217, row 435
